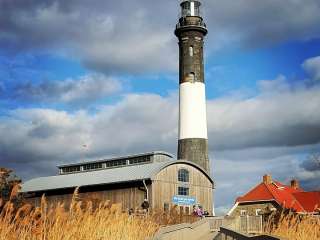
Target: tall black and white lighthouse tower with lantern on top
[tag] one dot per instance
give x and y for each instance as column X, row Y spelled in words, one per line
column 193, row 136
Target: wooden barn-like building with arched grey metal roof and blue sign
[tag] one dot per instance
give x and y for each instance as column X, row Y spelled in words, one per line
column 154, row 176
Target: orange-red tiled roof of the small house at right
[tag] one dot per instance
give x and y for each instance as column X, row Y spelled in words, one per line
column 294, row 198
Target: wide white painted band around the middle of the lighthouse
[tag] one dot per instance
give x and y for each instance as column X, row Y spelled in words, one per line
column 192, row 111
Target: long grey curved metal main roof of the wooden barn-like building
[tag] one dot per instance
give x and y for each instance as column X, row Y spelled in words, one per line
column 102, row 177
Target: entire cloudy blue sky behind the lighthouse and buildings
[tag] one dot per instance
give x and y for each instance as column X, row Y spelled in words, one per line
column 93, row 79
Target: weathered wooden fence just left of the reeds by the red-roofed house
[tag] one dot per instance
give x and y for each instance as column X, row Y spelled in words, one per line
column 245, row 224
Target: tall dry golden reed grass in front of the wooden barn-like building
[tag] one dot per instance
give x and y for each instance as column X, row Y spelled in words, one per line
column 78, row 222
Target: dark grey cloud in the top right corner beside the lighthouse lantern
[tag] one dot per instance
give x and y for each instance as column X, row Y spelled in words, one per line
column 257, row 23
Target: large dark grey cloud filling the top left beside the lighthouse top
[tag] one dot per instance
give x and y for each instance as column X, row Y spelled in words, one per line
column 109, row 36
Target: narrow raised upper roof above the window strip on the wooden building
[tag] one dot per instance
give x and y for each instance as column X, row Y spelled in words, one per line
column 117, row 158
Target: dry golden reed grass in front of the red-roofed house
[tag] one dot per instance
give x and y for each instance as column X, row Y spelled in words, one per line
column 294, row 227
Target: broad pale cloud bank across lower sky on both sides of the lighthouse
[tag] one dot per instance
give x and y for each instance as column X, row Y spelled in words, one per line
column 272, row 132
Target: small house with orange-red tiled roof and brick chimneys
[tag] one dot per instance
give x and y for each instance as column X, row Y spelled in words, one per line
column 272, row 195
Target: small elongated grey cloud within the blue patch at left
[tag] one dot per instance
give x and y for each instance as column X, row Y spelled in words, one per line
column 82, row 90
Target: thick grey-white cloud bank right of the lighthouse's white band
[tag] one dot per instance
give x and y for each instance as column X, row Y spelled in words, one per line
column 272, row 119
